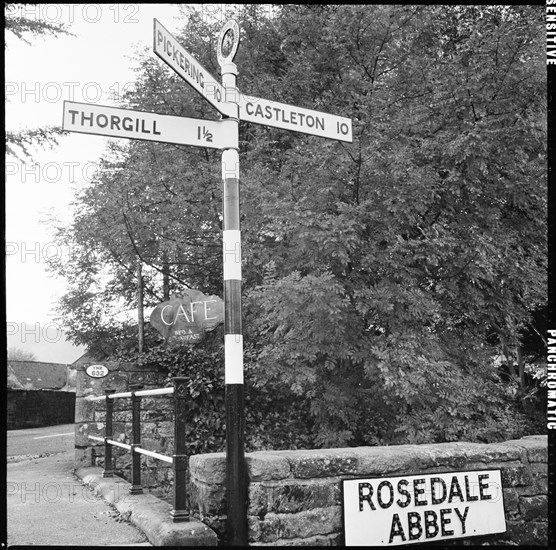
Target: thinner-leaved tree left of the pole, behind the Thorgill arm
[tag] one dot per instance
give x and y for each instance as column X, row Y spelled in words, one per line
column 153, row 203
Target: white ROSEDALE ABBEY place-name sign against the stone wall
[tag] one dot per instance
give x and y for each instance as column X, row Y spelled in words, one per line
column 422, row 508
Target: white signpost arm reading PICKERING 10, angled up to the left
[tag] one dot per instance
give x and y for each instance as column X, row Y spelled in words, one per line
column 181, row 61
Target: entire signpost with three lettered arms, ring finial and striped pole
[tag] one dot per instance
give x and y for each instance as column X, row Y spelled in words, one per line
column 224, row 135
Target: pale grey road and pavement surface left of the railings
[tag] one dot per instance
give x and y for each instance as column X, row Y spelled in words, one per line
column 48, row 505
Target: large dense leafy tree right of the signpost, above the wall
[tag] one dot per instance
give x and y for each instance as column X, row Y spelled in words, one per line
column 383, row 267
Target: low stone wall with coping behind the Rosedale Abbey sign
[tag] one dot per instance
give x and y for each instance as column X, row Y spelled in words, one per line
column 295, row 497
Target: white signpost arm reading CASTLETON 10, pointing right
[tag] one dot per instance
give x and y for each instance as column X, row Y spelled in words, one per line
column 298, row 119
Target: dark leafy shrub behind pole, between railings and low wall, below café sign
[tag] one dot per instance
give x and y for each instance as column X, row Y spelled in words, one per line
column 274, row 417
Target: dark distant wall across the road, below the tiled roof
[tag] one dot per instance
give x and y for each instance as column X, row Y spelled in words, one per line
column 37, row 408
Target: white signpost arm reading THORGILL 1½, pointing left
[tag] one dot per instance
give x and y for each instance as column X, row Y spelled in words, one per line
column 126, row 123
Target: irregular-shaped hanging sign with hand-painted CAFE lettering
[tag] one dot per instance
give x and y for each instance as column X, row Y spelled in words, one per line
column 187, row 316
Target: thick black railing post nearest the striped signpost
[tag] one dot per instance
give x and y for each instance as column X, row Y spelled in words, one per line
column 180, row 511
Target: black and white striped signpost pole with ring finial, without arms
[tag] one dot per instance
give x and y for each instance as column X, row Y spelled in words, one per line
column 236, row 477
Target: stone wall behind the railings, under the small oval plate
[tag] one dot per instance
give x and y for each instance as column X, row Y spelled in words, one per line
column 157, row 423
